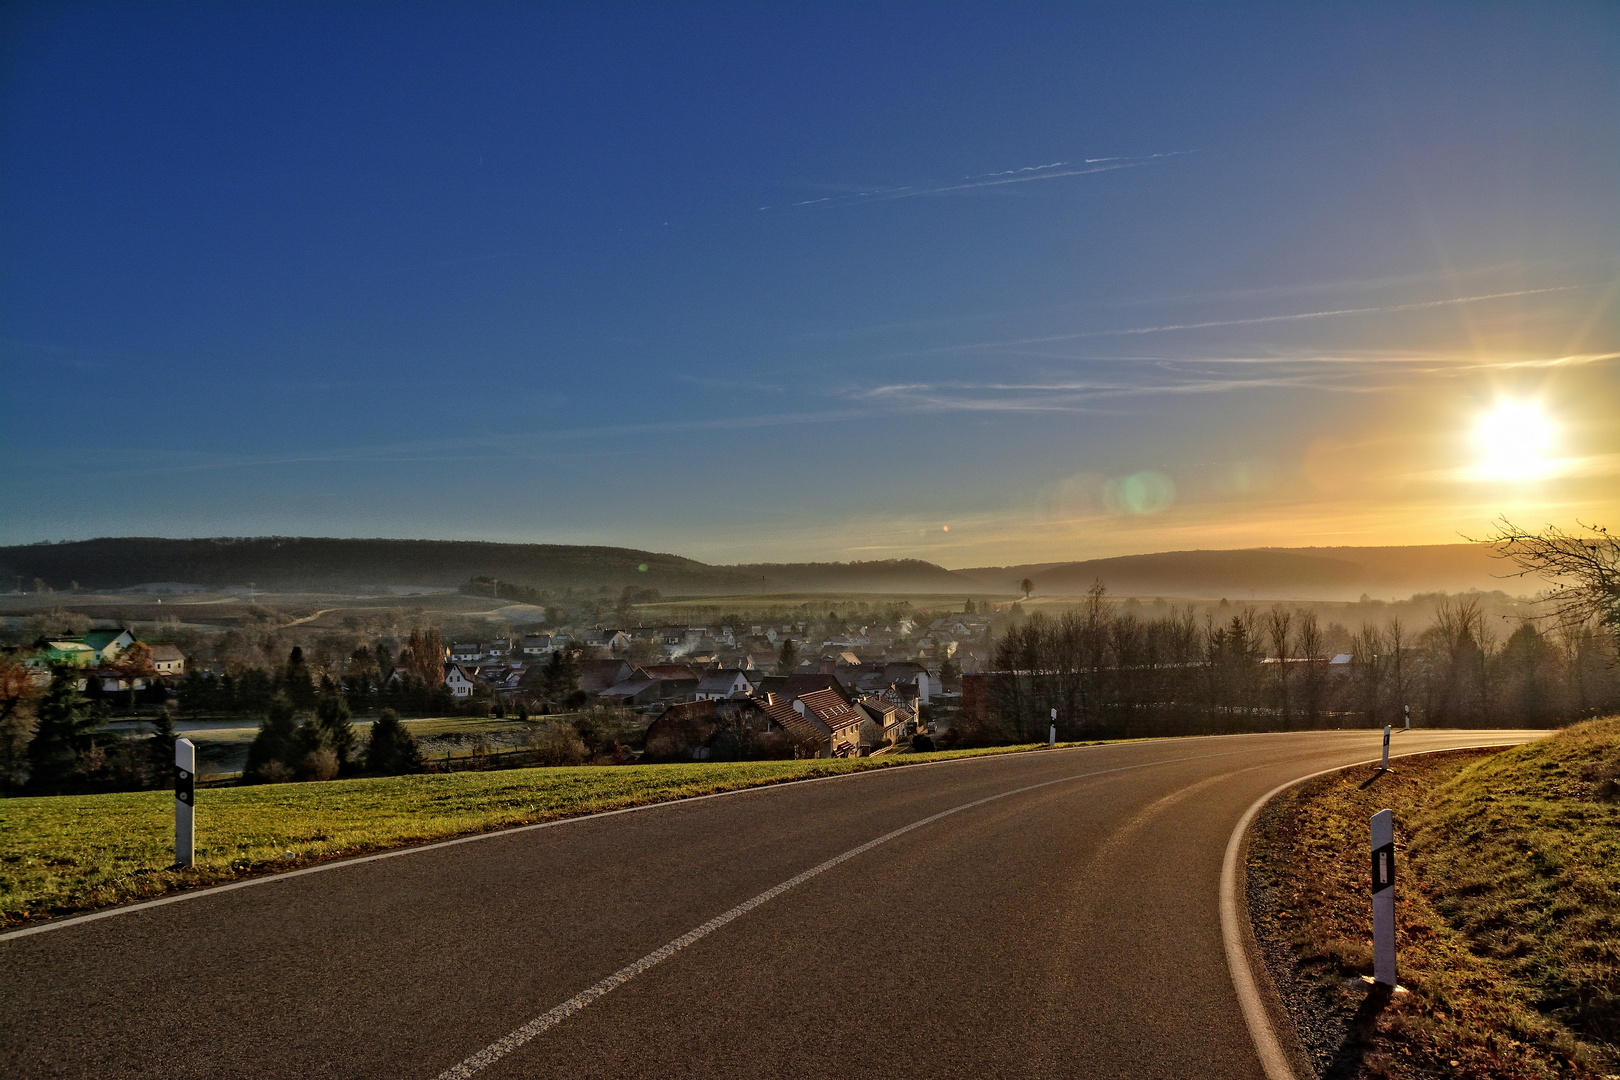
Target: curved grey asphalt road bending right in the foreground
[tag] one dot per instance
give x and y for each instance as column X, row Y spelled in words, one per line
column 1065, row 927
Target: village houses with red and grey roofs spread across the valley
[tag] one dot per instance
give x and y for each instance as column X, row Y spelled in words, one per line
column 769, row 691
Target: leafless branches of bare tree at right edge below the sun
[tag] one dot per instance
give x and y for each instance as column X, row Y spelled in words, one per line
column 1584, row 571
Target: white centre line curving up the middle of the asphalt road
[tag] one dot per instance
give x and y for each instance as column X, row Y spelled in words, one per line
column 552, row 1019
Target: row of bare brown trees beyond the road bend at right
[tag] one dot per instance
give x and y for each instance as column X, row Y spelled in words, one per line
column 1109, row 671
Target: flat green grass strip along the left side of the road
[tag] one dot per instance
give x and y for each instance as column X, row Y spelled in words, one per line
column 80, row 853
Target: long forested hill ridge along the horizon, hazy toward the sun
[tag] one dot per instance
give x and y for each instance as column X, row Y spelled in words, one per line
column 346, row 566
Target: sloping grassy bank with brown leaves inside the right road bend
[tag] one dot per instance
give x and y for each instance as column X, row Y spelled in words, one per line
column 1509, row 912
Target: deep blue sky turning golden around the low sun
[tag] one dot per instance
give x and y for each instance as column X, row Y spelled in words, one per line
column 974, row 284
